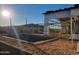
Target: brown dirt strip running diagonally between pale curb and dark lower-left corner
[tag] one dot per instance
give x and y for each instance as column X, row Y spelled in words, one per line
column 25, row 46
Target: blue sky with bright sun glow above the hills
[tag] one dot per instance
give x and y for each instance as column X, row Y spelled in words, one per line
column 32, row 12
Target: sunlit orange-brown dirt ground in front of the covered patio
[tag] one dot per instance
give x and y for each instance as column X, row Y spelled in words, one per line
column 59, row 47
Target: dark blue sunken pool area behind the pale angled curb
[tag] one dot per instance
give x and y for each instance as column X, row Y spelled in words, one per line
column 32, row 37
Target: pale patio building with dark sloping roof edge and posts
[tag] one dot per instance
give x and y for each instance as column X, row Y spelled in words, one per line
column 69, row 20
